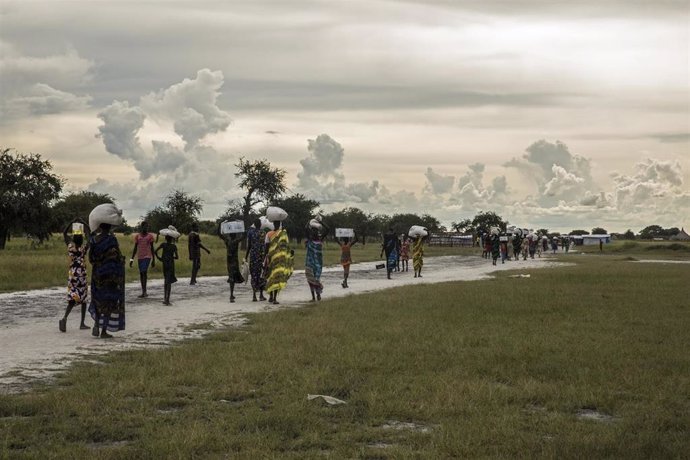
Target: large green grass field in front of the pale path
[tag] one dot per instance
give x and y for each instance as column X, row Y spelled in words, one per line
column 494, row 368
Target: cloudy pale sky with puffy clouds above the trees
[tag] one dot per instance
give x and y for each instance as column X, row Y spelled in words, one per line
column 554, row 114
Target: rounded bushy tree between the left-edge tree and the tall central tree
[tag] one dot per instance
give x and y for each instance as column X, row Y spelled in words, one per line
column 180, row 209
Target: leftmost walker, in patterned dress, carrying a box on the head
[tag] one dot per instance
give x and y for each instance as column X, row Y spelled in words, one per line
column 77, row 287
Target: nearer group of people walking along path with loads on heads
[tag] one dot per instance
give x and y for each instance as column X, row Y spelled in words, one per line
column 268, row 259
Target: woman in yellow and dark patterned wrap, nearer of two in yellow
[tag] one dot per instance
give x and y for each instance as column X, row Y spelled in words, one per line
column 279, row 261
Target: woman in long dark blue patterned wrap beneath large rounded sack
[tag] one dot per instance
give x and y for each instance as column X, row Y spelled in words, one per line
column 107, row 306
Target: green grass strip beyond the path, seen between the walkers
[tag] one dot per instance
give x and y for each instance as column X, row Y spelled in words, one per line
column 19, row 263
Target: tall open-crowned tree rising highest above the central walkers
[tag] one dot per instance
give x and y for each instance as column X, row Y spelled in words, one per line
column 261, row 182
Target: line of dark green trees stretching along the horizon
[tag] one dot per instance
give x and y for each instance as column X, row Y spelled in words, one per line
column 32, row 203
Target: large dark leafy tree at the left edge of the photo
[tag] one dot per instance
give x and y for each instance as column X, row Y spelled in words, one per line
column 27, row 187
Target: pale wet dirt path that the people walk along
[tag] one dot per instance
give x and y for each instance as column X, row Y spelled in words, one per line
column 33, row 348
